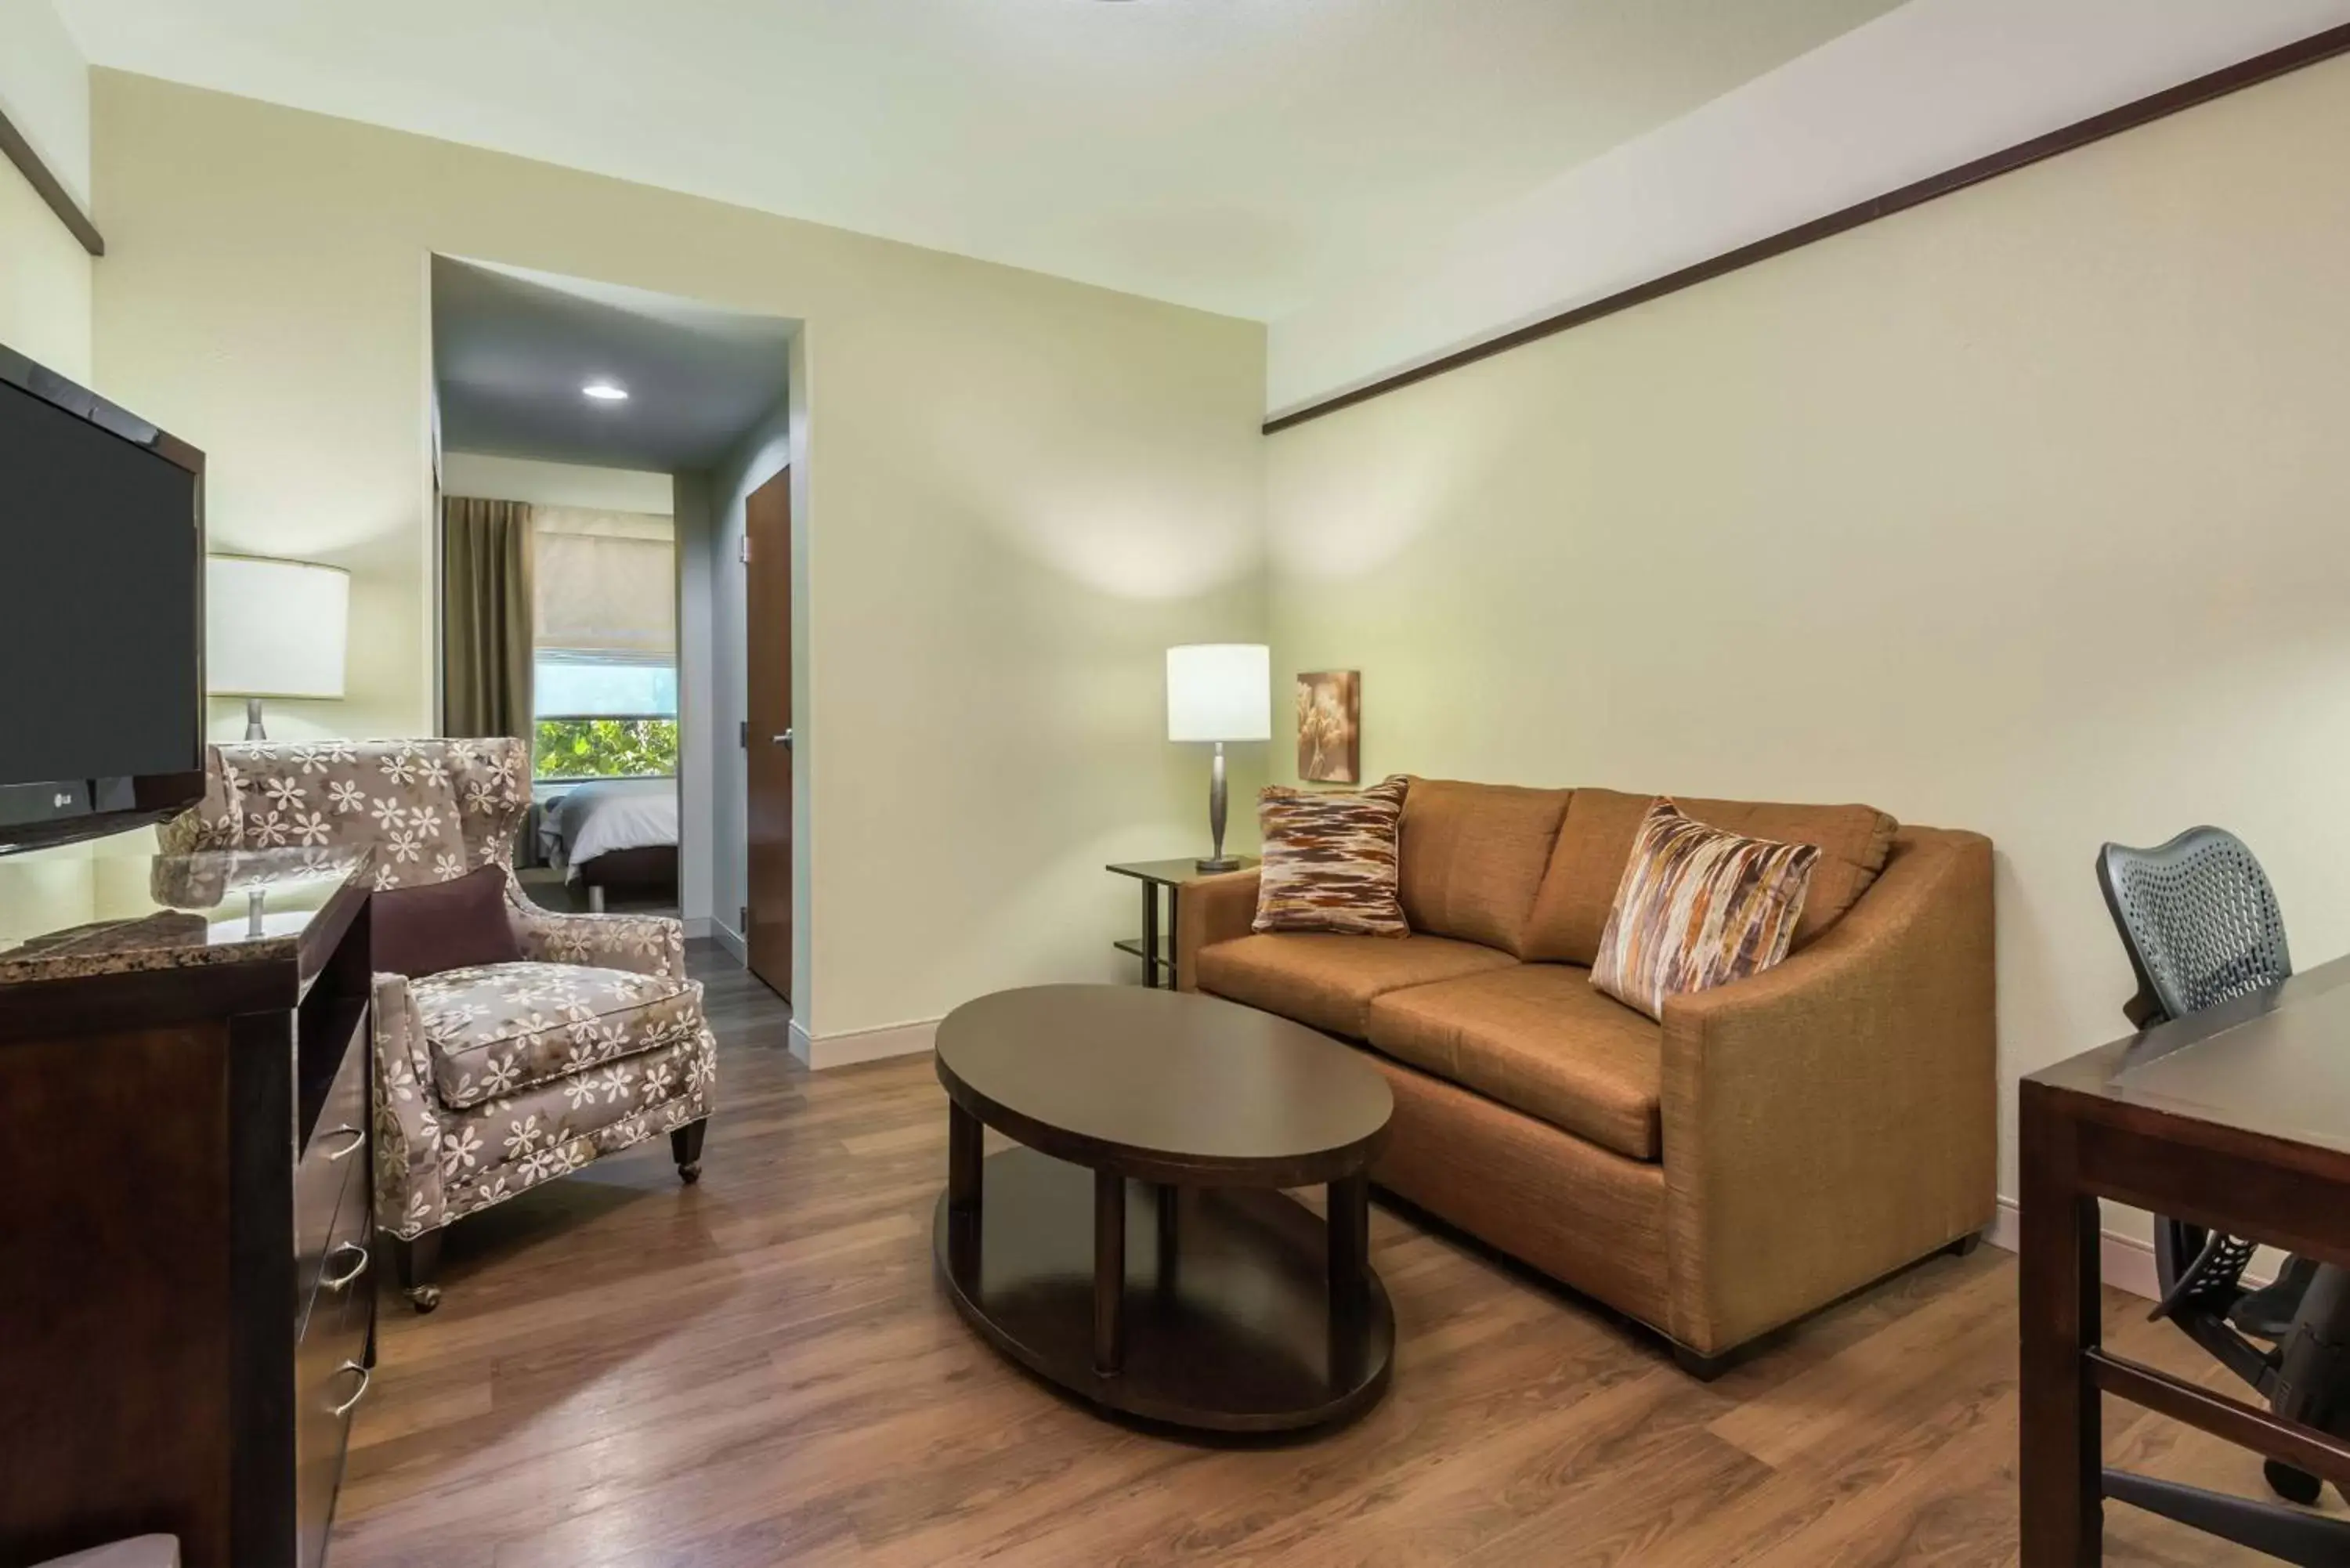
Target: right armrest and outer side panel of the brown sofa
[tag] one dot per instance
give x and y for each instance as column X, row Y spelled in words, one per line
column 1837, row 1118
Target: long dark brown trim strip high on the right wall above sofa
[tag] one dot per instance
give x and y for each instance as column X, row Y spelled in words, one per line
column 2025, row 154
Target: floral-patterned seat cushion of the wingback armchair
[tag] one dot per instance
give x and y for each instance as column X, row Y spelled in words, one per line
column 499, row 1028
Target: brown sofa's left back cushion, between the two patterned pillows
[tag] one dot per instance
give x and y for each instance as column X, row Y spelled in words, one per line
column 1472, row 859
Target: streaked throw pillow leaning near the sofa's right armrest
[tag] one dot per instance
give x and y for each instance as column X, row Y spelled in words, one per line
column 1698, row 909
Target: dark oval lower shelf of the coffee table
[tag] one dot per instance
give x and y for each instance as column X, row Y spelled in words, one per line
column 1230, row 1322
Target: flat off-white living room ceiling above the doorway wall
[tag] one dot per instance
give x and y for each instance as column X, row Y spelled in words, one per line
column 1223, row 154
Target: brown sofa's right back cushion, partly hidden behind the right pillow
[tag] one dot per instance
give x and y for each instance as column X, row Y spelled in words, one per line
column 1594, row 843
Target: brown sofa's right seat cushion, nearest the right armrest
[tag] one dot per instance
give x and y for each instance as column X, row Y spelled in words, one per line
column 1540, row 1040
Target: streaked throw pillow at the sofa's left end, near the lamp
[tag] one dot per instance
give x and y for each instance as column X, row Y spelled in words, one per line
column 1331, row 862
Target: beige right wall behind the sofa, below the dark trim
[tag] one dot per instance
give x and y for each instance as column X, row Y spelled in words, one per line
column 2027, row 511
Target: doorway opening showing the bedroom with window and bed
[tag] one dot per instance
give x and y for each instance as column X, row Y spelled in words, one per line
column 615, row 587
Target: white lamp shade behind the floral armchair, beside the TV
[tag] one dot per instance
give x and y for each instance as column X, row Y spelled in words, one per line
column 274, row 629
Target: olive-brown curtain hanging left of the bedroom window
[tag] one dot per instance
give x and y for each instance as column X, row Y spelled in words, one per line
column 485, row 617
